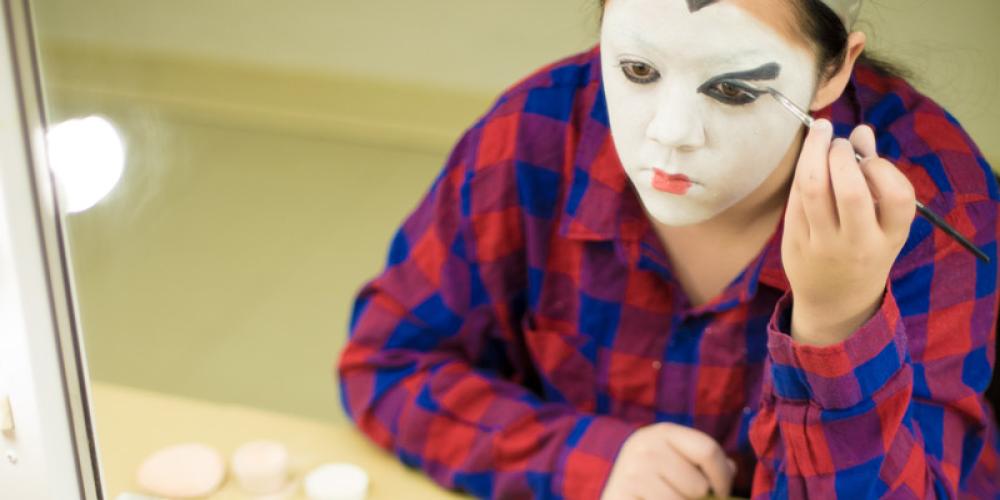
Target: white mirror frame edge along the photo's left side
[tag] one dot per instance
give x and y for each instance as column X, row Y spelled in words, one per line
column 51, row 451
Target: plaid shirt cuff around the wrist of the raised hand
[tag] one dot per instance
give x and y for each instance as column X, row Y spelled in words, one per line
column 841, row 375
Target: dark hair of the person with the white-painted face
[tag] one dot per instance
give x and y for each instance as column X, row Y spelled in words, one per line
column 820, row 25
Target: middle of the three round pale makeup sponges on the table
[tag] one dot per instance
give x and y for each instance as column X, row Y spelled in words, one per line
column 261, row 467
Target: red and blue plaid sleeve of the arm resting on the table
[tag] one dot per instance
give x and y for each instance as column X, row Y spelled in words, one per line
column 434, row 369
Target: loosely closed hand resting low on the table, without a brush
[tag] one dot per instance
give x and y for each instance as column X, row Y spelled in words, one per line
column 669, row 461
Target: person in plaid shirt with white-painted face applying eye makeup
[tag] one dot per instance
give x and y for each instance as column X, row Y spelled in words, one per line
column 634, row 279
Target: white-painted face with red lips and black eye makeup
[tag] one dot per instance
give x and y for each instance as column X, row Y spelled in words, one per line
column 693, row 144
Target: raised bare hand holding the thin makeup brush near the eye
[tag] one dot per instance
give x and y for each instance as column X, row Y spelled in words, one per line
column 838, row 264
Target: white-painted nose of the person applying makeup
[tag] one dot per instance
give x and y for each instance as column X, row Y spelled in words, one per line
column 677, row 122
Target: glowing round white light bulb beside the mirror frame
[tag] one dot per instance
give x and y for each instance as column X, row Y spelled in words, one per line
column 86, row 156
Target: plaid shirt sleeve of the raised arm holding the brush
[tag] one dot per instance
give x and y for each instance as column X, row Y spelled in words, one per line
column 896, row 409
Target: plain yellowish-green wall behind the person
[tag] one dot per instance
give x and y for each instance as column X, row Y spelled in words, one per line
column 224, row 264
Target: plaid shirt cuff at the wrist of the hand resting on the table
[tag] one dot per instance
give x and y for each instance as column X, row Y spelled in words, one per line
column 588, row 455
